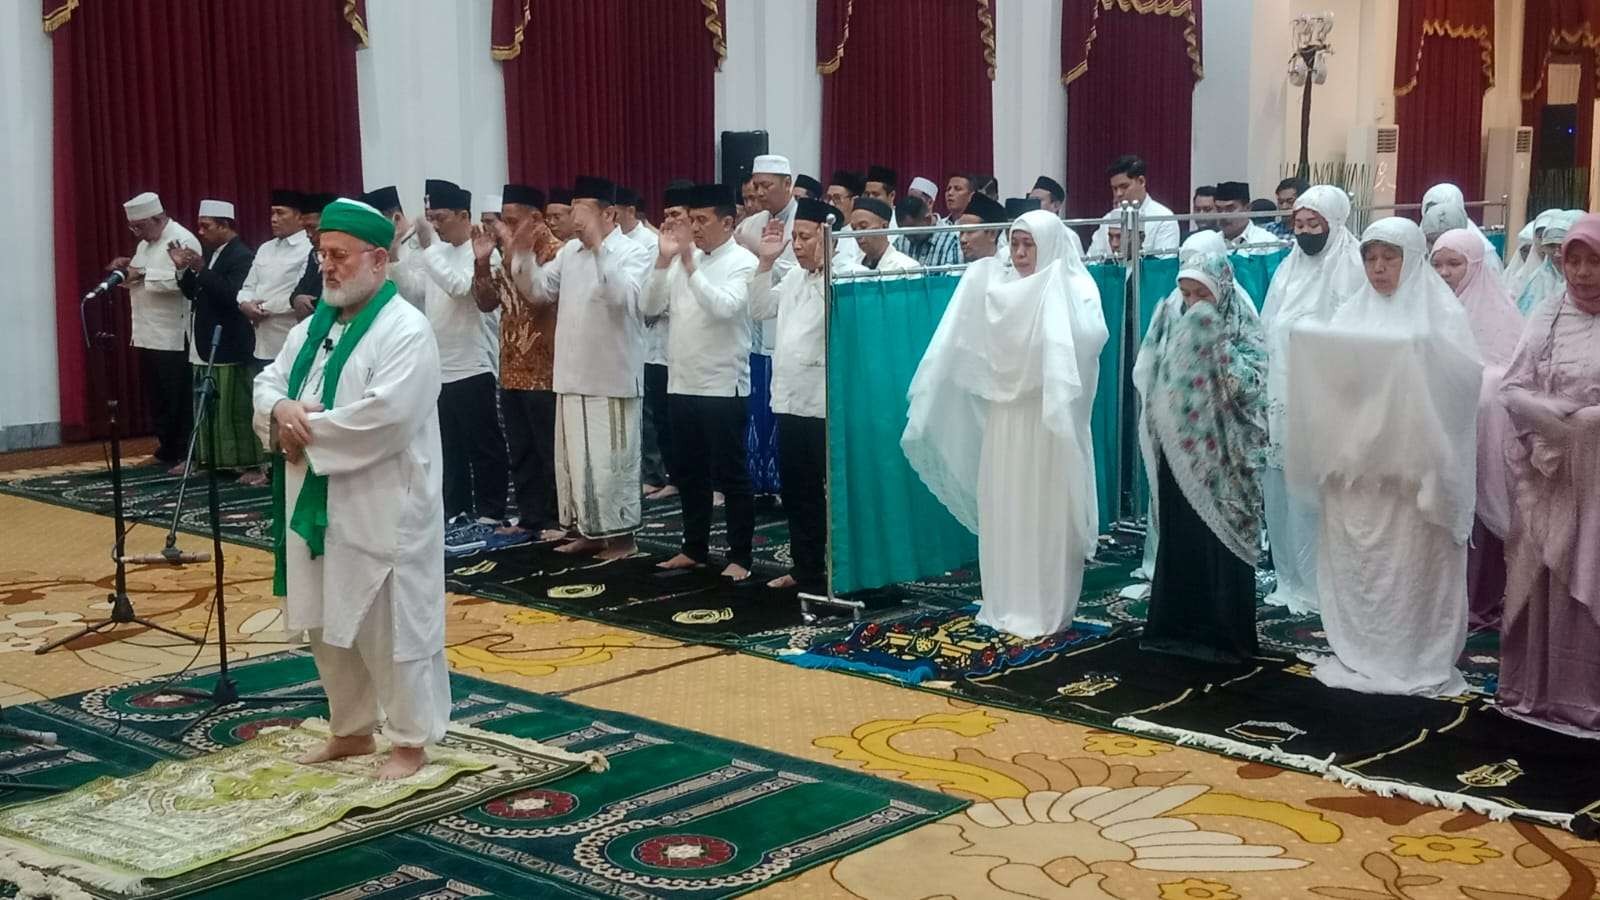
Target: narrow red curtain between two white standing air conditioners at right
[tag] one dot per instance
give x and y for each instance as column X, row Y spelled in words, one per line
column 1444, row 63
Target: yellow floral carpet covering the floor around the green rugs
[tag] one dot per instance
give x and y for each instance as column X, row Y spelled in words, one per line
column 1063, row 813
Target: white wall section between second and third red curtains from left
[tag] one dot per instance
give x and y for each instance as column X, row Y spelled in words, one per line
column 770, row 82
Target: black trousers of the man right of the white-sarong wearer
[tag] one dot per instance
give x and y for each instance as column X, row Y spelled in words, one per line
column 710, row 440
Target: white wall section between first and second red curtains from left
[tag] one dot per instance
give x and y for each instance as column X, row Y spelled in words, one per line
column 433, row 100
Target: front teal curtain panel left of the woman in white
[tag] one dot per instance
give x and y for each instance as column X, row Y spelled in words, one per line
column 886, row 524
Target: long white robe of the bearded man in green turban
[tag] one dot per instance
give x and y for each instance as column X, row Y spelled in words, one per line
column 380, row 451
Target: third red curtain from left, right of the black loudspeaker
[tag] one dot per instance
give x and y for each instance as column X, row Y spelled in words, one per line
column 887, row 103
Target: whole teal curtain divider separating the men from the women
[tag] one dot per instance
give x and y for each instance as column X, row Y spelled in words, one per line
column 886, row 526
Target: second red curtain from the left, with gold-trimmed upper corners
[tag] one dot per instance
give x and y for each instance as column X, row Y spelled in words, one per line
column 615, row 89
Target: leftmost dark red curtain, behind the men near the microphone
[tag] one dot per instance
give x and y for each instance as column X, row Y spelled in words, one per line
column 191, row 100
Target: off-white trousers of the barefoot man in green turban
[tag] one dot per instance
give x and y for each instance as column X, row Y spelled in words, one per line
column 367, row 685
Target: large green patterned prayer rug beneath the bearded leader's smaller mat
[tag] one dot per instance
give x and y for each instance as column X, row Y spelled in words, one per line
column 679, row 814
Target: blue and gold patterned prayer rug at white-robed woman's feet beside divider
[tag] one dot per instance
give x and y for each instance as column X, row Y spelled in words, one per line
column 946, row 648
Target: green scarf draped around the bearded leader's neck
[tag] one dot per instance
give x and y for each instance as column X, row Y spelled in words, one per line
column 311, row 507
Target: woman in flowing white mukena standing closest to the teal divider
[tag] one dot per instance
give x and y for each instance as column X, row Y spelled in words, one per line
column 999, row 424
